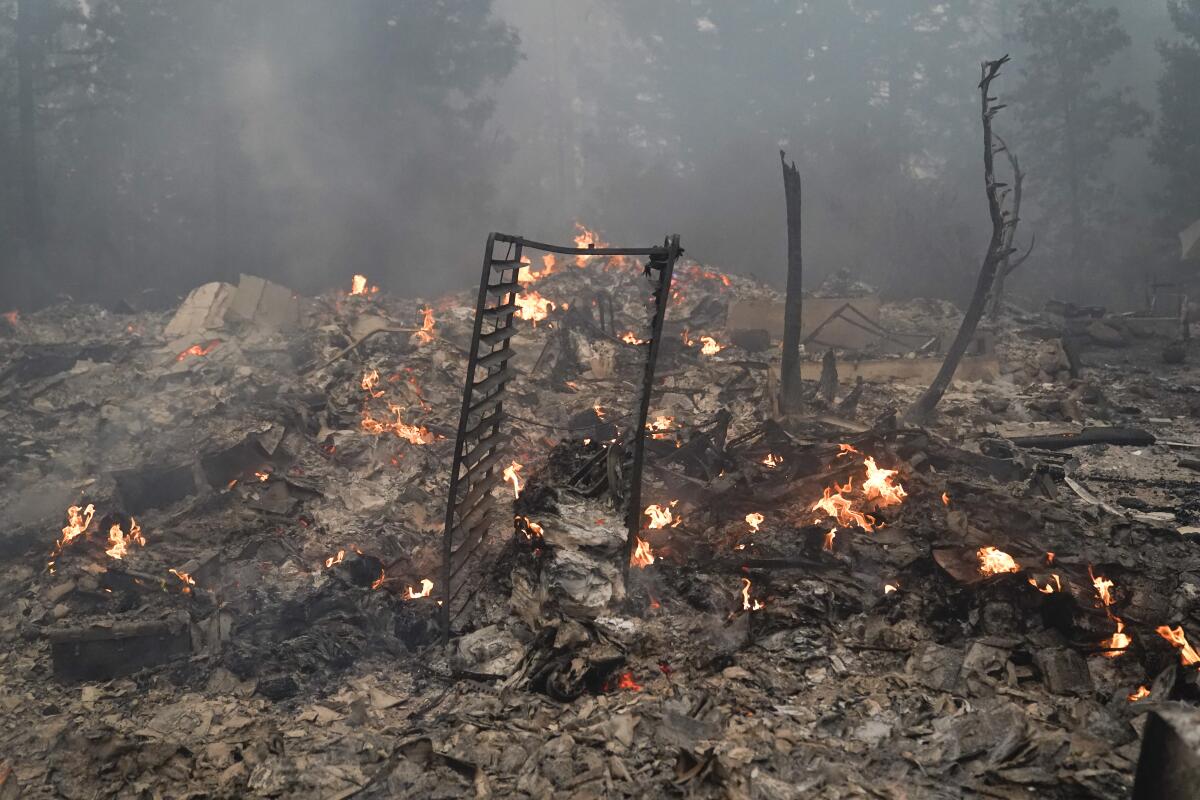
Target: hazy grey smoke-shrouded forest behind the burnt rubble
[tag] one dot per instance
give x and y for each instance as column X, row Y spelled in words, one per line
column 158, row 145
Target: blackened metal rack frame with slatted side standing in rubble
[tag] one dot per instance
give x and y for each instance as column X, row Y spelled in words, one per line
column 477, row 472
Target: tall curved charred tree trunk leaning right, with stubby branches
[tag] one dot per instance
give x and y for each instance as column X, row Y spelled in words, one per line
column 925, row 407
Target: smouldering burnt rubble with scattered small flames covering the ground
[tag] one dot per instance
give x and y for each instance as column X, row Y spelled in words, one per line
column 243, row 600
